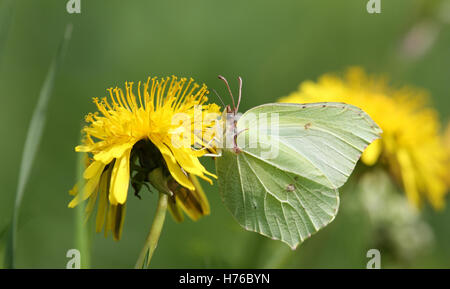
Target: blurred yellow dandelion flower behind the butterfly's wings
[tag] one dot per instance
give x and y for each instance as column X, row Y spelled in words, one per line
column 411, row 146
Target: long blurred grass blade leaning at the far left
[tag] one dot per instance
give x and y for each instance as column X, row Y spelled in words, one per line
column 32, row 141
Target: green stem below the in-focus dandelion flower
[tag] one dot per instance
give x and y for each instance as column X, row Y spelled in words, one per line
column 153, row 236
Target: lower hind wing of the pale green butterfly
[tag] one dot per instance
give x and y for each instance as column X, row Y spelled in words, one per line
column 272, row 202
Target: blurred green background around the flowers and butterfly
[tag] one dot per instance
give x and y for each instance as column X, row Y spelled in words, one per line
column 273, row 45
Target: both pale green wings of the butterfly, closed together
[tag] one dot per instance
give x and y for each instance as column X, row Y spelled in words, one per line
column 283, row 184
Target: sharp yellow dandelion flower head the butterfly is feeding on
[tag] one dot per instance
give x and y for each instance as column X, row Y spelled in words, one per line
column 155, row 138
